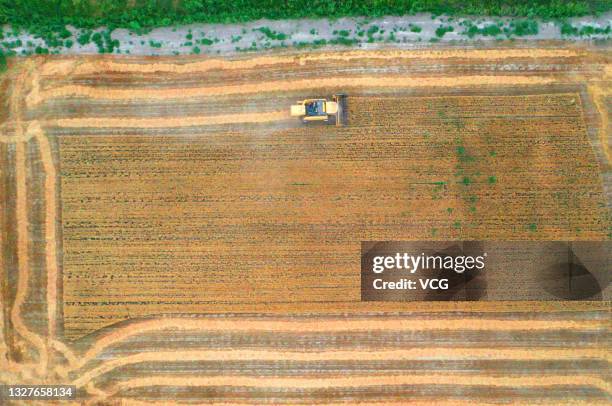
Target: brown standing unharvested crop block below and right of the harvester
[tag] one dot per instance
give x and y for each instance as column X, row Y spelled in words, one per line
column 169, row 222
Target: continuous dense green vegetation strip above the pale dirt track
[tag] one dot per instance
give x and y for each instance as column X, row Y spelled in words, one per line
column 145, row 14
